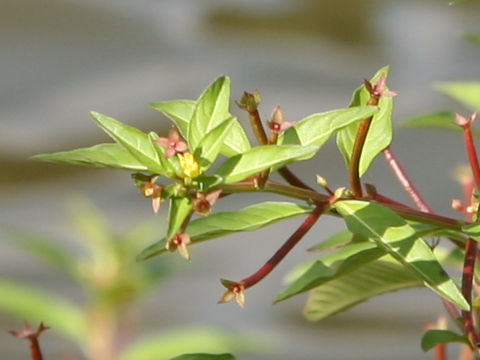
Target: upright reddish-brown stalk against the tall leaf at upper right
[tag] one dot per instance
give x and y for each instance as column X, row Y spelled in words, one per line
column 360, row 138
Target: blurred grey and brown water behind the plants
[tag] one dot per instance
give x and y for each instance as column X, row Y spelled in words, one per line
column 61, row 59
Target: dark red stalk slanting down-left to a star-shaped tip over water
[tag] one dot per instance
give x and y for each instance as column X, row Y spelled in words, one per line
column 284, row 249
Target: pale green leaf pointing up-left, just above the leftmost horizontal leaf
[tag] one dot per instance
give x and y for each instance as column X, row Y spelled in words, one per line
column 135, row 141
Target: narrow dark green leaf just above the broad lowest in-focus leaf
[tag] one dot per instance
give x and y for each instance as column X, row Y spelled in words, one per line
column 319, row 273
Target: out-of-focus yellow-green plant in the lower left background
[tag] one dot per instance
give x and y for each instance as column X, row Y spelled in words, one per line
column 111, row 283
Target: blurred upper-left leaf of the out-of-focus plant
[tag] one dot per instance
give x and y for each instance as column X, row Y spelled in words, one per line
column 44, row 249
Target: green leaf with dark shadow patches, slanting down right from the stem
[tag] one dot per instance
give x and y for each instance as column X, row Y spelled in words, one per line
column 399, row 239
